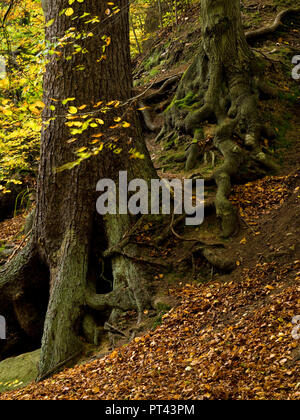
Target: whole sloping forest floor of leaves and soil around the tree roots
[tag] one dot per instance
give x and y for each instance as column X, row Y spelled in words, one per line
column 217, row 335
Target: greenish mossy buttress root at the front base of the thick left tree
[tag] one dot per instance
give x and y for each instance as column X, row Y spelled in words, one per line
column 61, row 342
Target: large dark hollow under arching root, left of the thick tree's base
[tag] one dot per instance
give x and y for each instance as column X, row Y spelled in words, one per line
column 24, row 296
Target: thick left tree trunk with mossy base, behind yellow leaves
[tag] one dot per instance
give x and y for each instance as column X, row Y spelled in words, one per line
column 68, row 235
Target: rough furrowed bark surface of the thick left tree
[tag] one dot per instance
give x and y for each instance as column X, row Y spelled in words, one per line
column 65, row 221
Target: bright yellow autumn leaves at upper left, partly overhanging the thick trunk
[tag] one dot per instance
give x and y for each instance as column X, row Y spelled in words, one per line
column 20, row 124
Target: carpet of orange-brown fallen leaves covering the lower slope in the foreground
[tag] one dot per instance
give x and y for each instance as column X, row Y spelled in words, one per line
column 226, row 340
